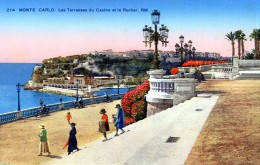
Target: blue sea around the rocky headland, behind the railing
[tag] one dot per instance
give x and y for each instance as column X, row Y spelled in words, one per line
column 13, row 73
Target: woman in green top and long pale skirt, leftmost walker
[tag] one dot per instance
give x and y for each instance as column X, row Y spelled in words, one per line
column 44, row 146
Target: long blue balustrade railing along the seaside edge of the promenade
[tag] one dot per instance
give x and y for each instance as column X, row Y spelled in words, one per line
column 26, row 113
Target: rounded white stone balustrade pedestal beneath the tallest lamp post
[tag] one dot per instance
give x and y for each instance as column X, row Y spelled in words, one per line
column 166, row 92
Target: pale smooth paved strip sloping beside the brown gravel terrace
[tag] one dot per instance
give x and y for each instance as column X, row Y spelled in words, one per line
column 145, row 141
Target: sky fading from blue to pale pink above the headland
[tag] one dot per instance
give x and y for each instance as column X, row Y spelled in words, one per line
column 48, row 29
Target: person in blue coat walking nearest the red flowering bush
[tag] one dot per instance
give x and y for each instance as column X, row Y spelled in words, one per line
column 119, row 119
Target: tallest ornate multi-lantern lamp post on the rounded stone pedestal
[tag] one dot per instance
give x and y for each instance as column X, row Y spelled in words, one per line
column 151, row 35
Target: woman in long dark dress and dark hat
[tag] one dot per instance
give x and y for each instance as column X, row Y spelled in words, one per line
column 73, row 143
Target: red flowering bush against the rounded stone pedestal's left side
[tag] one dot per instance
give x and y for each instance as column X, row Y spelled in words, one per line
column 134, row 103
